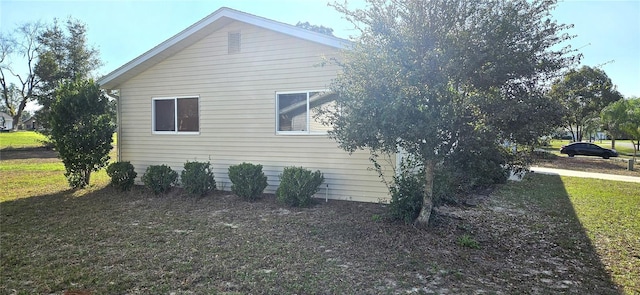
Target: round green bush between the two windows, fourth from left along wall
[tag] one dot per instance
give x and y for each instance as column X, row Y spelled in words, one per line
column 247, row 180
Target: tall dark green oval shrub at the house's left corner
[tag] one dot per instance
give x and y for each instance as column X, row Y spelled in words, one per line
column 81, row 129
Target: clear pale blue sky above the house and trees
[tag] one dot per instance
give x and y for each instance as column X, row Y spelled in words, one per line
column 608, row 32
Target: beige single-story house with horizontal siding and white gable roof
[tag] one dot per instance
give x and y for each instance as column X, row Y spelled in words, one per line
column 233, row 88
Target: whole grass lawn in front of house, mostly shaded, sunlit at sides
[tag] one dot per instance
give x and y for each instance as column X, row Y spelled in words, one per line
column 543, row 235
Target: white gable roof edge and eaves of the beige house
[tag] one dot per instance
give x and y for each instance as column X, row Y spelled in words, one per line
column 201, row 29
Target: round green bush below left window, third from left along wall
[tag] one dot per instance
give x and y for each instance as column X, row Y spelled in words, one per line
column 197, row 178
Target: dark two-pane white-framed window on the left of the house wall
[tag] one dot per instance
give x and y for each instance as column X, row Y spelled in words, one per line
column 175, row 115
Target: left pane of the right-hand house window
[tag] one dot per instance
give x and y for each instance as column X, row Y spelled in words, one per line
column 292, row 112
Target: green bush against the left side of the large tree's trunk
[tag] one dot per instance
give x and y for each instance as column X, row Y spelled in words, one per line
column 406, row 194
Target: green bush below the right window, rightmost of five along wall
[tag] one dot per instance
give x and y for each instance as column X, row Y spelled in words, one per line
column 297, row 185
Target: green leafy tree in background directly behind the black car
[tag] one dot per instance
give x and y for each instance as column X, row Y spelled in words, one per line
column 584, row 93
